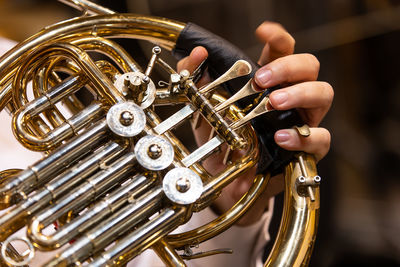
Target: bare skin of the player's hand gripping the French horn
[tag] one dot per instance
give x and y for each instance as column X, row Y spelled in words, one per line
column 297, row 75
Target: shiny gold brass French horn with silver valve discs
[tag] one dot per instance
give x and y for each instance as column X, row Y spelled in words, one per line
column 115, row 177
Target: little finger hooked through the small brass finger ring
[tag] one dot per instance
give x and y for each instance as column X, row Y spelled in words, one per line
column 317, row 143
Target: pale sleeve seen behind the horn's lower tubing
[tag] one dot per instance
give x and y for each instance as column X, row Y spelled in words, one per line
column 246, row 242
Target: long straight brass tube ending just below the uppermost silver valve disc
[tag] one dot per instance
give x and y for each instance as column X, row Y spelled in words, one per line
column 14, row 218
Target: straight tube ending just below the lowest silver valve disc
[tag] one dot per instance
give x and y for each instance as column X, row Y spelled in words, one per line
column 146, row 235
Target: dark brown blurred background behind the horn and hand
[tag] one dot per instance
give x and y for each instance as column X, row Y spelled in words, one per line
column 357, row 43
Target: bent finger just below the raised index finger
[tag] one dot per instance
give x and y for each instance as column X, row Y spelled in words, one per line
column 289, row 69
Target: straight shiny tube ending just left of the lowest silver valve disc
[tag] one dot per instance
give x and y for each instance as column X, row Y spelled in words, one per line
column 110, row 229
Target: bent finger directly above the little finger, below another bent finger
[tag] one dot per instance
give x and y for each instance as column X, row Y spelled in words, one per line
column 314, row 98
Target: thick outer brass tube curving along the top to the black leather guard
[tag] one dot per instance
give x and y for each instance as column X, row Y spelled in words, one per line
column 162, row 31
